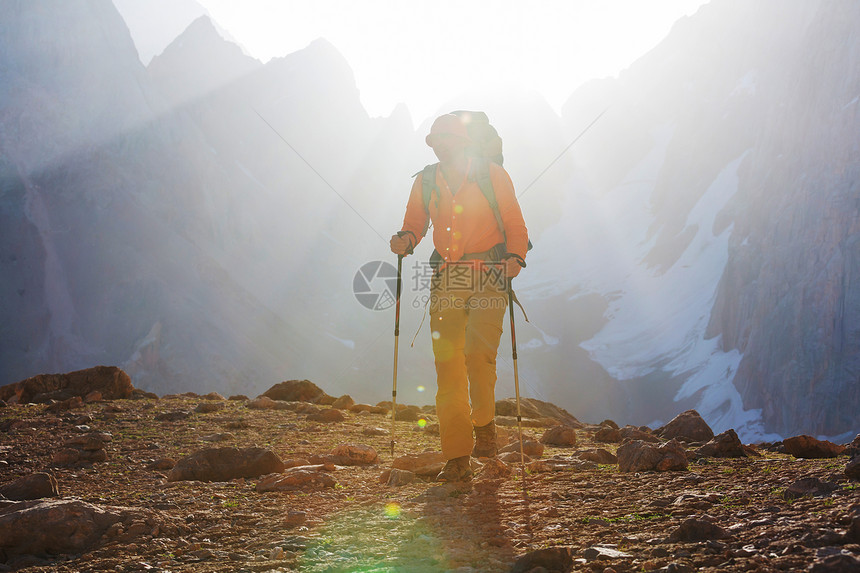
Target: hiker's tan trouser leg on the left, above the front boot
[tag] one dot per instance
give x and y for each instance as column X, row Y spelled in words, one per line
column 447, row 327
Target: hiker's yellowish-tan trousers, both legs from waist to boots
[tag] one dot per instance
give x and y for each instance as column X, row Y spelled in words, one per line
column 466, row 325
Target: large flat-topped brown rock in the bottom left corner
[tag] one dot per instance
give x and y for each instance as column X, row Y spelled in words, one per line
column 57, row 526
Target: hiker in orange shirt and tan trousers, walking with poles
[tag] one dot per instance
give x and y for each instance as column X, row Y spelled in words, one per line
column 477, row 252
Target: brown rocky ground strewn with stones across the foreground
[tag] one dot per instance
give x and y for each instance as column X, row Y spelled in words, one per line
column 121, row 502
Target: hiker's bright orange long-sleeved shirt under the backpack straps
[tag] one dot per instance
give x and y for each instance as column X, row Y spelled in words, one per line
column 465, row 223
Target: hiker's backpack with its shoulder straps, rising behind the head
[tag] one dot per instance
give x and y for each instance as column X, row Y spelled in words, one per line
column 486, row 148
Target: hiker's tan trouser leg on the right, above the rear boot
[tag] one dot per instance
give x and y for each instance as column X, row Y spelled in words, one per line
column 483, row 332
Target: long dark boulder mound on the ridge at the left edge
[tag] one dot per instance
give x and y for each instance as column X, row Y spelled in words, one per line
column 110, row 381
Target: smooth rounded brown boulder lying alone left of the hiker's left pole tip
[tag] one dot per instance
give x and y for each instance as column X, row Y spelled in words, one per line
column 224, row 464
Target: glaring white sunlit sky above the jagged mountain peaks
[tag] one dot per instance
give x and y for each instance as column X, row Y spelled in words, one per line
column 424, row 53
